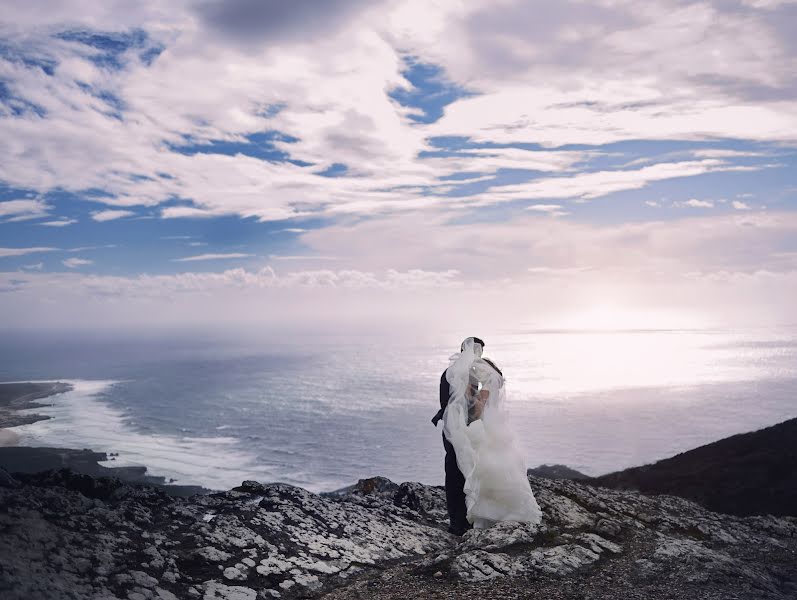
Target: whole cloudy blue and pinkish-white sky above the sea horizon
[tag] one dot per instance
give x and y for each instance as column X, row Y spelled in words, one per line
column 262, row 165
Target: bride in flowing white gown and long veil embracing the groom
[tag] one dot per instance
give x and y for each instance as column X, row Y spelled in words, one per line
column 477, row 426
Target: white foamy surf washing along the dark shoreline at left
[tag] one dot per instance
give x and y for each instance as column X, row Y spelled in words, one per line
column 79, row 419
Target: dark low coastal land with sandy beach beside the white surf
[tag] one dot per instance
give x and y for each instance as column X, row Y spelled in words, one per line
column 17, row 396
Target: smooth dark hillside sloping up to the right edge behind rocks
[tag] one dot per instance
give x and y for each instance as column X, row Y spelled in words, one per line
column 747, row 474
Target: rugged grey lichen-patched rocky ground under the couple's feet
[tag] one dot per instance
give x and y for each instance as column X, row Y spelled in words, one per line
column 67, row 535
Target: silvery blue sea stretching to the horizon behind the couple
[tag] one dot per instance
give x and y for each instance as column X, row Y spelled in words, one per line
column 324, row 412
